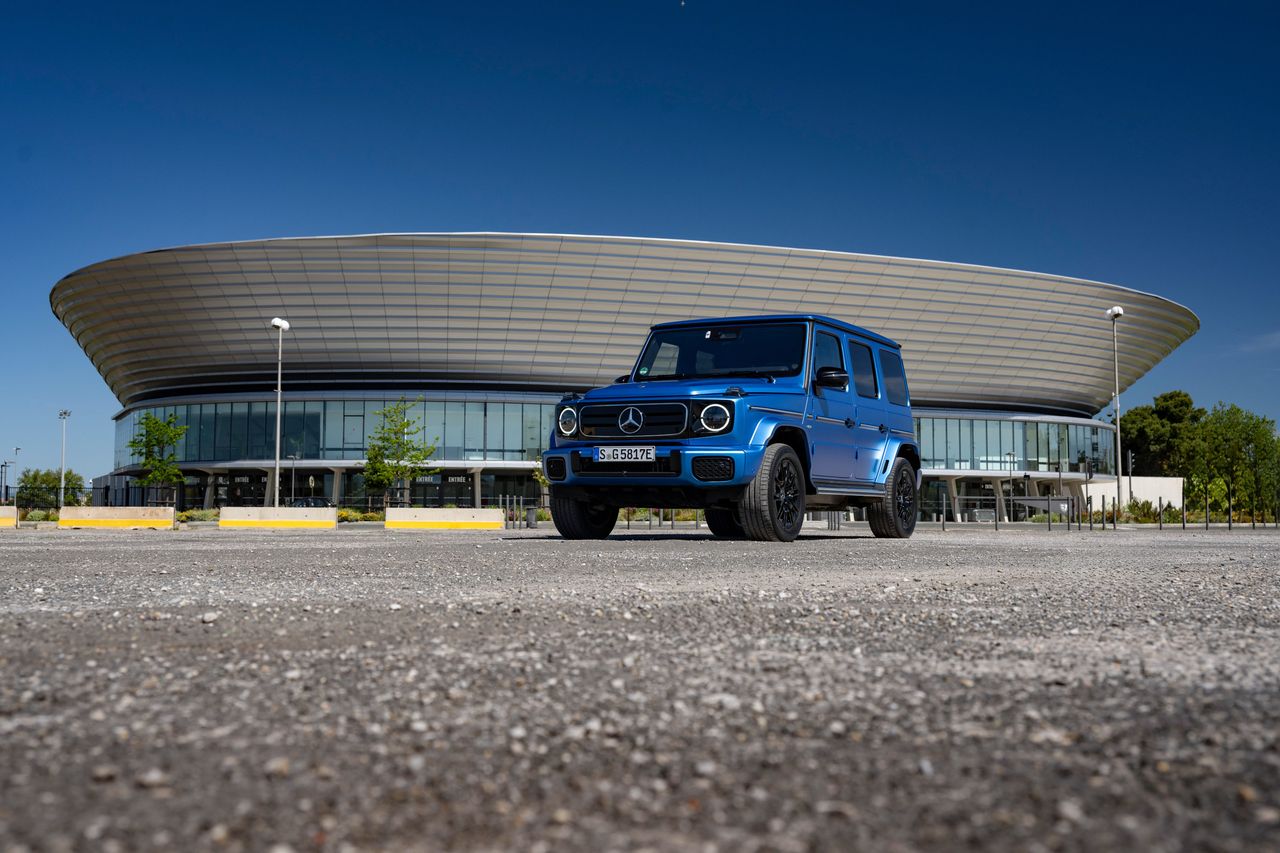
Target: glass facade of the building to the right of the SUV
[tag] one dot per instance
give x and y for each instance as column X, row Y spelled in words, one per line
column 1003, row 445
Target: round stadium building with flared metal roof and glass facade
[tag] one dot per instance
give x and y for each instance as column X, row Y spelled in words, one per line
column 484, row 332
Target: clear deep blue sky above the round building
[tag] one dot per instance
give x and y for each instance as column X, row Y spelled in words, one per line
column 1128, row 144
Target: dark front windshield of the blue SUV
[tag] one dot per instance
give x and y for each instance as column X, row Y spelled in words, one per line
column 767, row 350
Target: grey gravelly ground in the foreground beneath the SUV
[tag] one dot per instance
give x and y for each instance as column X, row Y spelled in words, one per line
column 358, row 690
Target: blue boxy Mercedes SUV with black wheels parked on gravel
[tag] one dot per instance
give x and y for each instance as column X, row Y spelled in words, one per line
column 753, row 419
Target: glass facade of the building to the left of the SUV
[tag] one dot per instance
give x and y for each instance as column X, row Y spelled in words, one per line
column 340, row 430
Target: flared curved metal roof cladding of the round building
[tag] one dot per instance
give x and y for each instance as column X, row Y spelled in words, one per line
column 560, row 312
